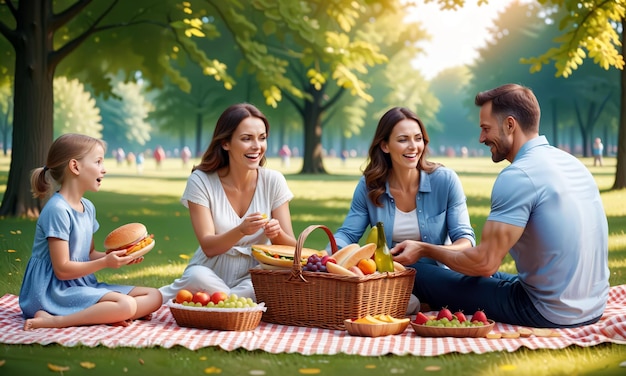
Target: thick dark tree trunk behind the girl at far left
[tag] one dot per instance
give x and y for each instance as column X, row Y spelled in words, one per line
column 32, row 129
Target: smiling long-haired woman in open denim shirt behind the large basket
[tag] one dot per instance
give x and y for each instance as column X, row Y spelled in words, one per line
column 415, row 198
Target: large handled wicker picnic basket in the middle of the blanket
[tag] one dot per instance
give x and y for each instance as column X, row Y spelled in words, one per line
column 324, row 300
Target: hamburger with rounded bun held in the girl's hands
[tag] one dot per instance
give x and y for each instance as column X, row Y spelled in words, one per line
column 132, row 237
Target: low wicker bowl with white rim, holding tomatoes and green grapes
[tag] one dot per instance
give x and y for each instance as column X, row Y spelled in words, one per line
column 234, row 319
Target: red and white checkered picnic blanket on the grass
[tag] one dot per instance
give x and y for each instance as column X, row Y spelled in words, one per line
column 163, row 331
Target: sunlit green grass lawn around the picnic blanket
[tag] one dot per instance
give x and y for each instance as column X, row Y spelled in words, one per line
column 153, row 198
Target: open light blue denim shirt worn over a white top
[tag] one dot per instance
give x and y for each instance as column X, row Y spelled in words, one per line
column 441, row 211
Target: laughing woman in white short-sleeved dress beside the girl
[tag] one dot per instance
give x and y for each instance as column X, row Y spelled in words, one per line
column 234, row 202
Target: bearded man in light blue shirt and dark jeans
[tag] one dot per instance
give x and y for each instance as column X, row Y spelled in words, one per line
column 546, row 211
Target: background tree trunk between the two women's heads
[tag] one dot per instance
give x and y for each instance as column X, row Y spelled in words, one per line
column 312, row 116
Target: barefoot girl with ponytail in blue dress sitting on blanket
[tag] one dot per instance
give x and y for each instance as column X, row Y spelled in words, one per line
column 59, row 287
